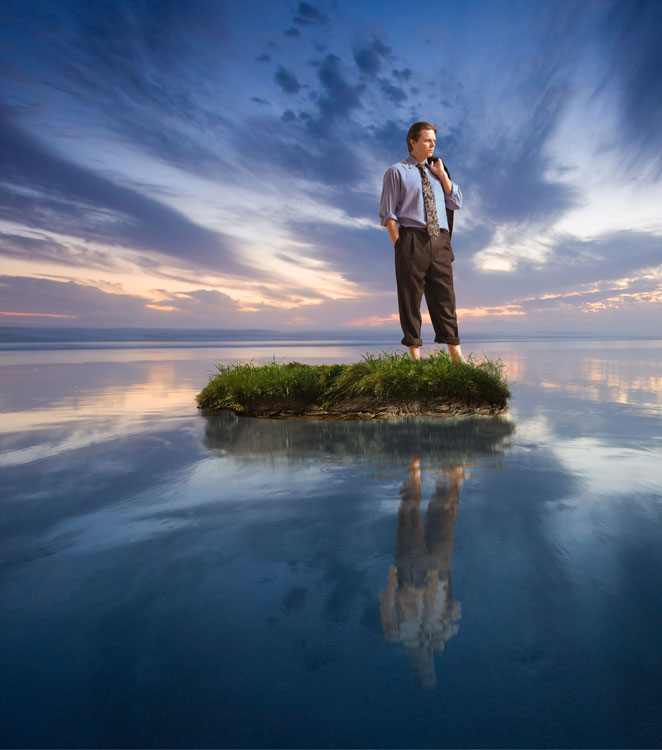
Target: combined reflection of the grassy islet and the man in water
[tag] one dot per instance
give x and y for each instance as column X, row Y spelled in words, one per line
column 417, row 608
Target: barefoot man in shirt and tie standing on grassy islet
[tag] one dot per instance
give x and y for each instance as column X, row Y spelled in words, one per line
column 415, row 197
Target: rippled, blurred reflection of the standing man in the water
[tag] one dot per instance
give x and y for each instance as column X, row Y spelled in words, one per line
column 417, row 607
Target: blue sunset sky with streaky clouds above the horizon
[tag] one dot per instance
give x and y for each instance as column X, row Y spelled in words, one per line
column 212, row 164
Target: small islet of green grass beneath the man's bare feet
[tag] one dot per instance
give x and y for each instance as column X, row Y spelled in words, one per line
column 388, row 378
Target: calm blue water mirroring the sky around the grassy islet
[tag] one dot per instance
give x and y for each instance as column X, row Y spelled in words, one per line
column 173, row 579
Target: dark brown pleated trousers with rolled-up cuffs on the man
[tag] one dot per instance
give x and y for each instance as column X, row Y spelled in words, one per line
column 423, row 266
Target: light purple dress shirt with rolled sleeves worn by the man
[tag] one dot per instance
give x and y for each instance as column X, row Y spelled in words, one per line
column 402, row 196
